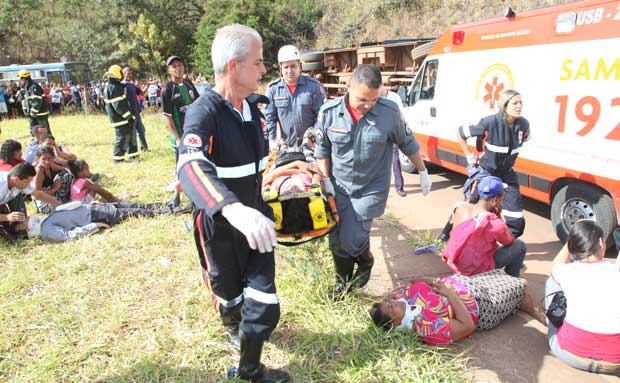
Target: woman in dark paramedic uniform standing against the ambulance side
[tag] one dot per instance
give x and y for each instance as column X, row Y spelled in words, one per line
column 503, row 135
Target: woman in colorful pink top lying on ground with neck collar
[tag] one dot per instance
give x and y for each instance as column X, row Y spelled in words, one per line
column 445, row 310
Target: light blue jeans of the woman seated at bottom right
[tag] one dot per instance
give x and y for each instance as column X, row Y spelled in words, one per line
column 585, row 364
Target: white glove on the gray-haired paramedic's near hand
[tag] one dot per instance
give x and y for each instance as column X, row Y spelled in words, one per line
column 259, row 230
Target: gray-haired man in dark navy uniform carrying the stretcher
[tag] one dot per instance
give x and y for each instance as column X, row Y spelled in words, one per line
column 221, row 157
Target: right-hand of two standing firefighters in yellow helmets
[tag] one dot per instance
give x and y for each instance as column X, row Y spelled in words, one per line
column 121, row 119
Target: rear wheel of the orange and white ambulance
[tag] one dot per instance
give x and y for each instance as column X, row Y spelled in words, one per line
column 582, row 201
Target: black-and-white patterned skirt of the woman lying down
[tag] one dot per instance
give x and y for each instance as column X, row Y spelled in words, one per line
column 498, row 295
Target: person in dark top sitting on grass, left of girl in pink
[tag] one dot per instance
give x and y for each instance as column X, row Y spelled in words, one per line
column 51, row 178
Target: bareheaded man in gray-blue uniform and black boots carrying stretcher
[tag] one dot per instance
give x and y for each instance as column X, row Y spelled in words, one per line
column 354, row 136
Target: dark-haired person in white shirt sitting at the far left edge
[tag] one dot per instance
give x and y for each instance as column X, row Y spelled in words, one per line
column 13, row 186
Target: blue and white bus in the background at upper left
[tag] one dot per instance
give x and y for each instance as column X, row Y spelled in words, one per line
column 57, row 73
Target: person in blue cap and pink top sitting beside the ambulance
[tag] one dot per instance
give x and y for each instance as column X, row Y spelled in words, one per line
column 472, row 247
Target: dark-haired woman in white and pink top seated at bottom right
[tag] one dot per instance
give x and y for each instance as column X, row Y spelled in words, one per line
column 589, row 337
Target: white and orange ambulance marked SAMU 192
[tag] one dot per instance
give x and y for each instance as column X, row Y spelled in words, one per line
column 565, row 62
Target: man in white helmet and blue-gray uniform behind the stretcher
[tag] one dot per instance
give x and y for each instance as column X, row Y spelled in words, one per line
column 294, row 100
